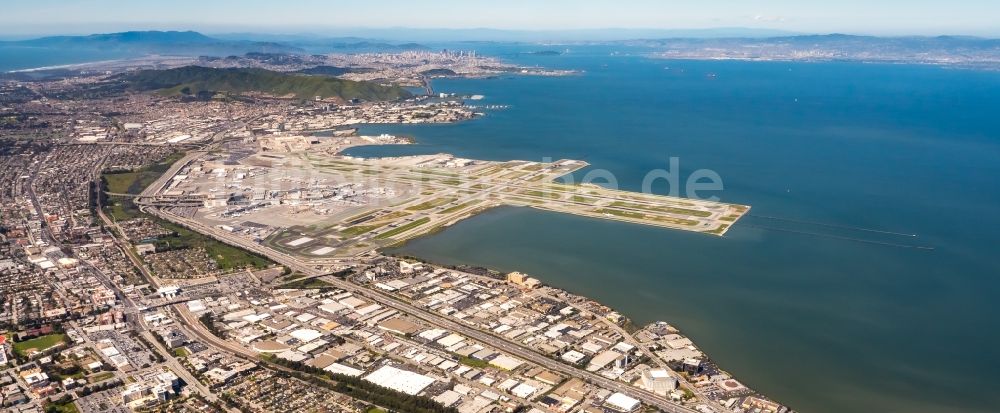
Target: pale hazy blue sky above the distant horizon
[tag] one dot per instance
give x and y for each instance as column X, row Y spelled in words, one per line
column 978, row 17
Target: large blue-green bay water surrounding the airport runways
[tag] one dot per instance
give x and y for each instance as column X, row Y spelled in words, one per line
column 797, row 307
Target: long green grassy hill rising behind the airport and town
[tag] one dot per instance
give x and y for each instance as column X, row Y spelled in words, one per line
column 193, row 80
